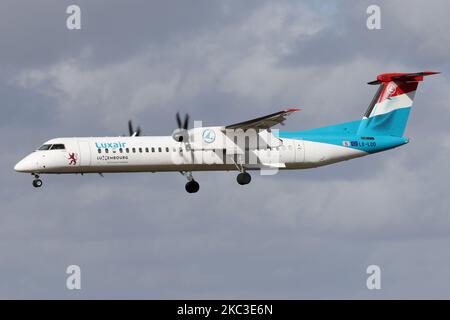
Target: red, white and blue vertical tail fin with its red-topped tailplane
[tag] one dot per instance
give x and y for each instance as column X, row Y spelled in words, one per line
column 389, row 110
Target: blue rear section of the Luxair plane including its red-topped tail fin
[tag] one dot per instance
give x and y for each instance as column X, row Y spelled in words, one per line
column 384, row 122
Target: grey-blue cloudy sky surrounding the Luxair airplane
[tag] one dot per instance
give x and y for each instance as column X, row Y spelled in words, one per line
column 298, row 234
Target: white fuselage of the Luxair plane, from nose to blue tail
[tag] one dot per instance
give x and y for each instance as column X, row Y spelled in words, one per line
column 163, row 153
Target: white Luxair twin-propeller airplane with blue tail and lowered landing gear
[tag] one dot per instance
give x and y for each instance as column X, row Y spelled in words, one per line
column 243, row 146
